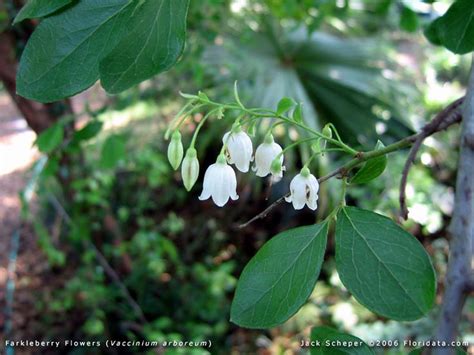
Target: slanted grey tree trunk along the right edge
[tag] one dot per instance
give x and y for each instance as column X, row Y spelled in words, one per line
column 460, row 272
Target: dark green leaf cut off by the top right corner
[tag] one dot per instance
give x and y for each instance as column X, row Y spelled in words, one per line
column 455, row 29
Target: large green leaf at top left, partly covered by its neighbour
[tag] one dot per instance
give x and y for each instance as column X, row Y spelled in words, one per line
column 62, row 55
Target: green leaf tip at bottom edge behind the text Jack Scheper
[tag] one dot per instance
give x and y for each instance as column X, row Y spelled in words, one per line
column 323, row 338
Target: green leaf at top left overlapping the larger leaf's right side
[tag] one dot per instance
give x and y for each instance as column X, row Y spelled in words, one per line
column 154, row 41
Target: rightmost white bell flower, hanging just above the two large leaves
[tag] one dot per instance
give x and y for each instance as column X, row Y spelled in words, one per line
column 304, row 190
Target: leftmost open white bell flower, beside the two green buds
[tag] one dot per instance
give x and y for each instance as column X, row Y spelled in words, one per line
column 220, row 182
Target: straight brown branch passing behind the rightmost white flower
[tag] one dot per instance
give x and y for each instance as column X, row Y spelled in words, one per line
column 443, row 121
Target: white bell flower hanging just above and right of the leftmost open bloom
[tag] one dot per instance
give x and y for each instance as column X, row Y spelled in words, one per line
column 239, row 148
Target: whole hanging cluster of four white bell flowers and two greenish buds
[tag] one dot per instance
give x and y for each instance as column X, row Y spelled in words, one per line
column 220, row 182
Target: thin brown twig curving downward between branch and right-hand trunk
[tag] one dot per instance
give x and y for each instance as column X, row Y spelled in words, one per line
column 451, row 114
